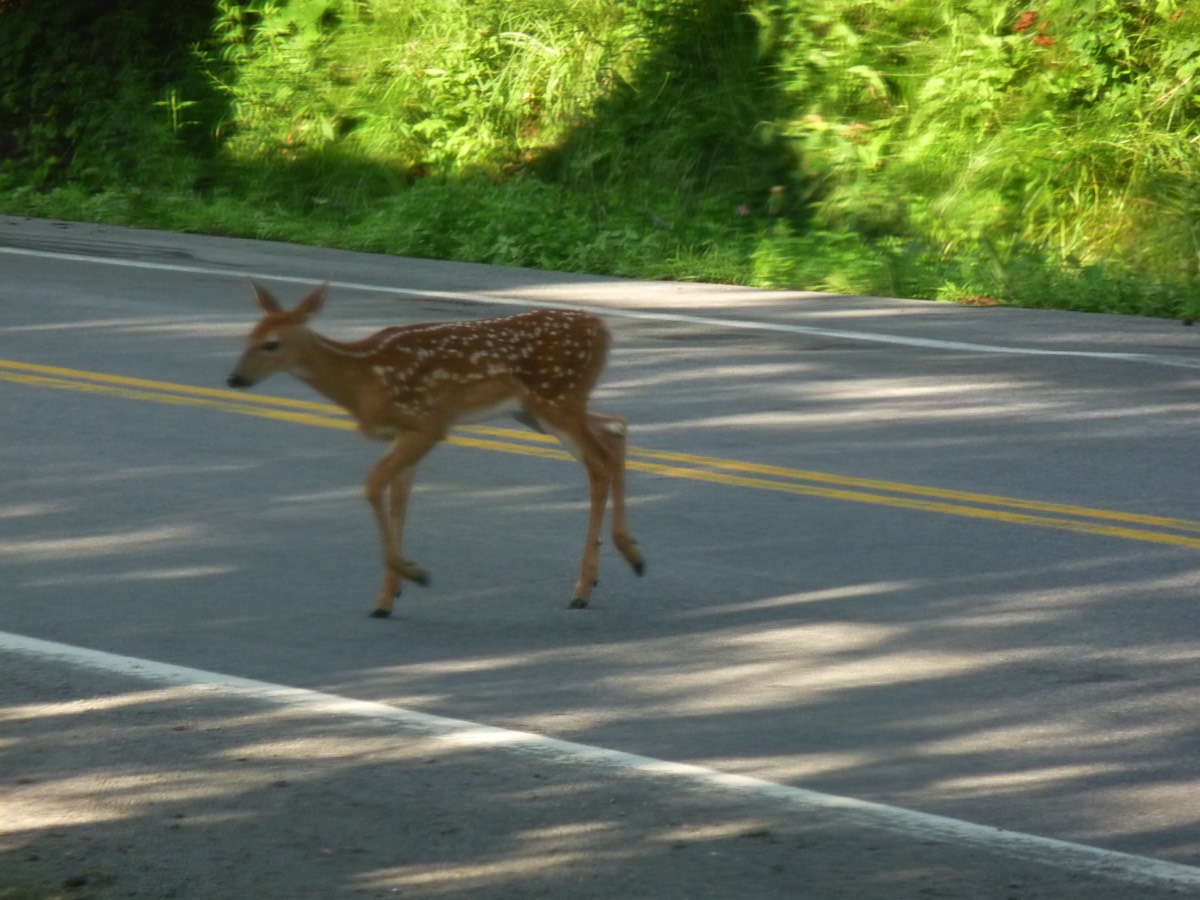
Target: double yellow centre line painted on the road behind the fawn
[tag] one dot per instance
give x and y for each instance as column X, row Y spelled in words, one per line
column 735, row 473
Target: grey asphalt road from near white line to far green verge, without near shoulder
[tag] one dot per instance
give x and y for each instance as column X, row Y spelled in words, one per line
column 935, row 559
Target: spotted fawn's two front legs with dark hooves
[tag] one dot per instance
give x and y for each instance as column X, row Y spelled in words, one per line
column 387, row 490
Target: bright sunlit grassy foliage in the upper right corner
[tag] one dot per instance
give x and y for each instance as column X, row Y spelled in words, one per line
column 1069, row 131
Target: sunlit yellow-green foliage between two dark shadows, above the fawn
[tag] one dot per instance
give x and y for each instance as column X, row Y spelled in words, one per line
column 422, row 86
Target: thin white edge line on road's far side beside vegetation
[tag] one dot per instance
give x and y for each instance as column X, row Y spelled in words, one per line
column 687, row 319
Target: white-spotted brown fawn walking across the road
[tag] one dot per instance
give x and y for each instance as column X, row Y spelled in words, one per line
column 411, row 385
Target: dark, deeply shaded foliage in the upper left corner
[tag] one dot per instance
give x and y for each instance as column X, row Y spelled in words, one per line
column 83, row 89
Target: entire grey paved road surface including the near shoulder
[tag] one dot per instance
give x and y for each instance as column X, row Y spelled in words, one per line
column 920, row 615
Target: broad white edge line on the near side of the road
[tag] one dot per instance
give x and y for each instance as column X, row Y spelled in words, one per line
column 922, row 826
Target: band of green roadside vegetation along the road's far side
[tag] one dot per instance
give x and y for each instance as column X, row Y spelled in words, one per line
column 1043, row 153
